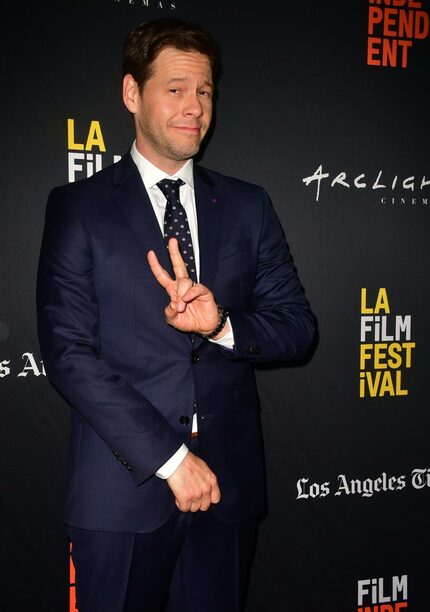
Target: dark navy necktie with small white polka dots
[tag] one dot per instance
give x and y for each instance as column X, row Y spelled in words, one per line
column 176, row 223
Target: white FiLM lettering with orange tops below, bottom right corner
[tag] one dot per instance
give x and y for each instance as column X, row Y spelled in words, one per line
column 383, row 595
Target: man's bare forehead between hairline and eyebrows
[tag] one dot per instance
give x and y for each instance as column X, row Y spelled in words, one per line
column 172, row 62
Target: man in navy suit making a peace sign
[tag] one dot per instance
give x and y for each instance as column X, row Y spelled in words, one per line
column 166, row 465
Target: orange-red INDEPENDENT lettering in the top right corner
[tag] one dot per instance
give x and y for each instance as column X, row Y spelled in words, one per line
column 393, row 28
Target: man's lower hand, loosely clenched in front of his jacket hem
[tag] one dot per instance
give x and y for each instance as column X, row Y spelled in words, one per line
column 194, row 485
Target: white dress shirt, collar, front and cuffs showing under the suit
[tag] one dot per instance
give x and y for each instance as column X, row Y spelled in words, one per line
column 151, row 175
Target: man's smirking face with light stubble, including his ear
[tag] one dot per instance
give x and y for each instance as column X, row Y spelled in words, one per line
column 174, row 110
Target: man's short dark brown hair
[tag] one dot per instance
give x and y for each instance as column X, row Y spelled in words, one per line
column 143, row 45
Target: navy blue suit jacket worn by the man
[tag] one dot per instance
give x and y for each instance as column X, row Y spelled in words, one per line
column 134, row 382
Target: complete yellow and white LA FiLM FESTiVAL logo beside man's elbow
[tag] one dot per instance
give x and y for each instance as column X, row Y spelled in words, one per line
column 386, row 347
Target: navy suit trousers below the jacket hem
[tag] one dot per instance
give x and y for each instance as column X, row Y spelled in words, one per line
column 192, row 563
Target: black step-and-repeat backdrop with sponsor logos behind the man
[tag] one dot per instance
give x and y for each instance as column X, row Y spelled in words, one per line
column 326, row 105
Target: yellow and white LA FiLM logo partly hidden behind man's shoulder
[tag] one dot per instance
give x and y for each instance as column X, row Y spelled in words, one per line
column 86, row 150
